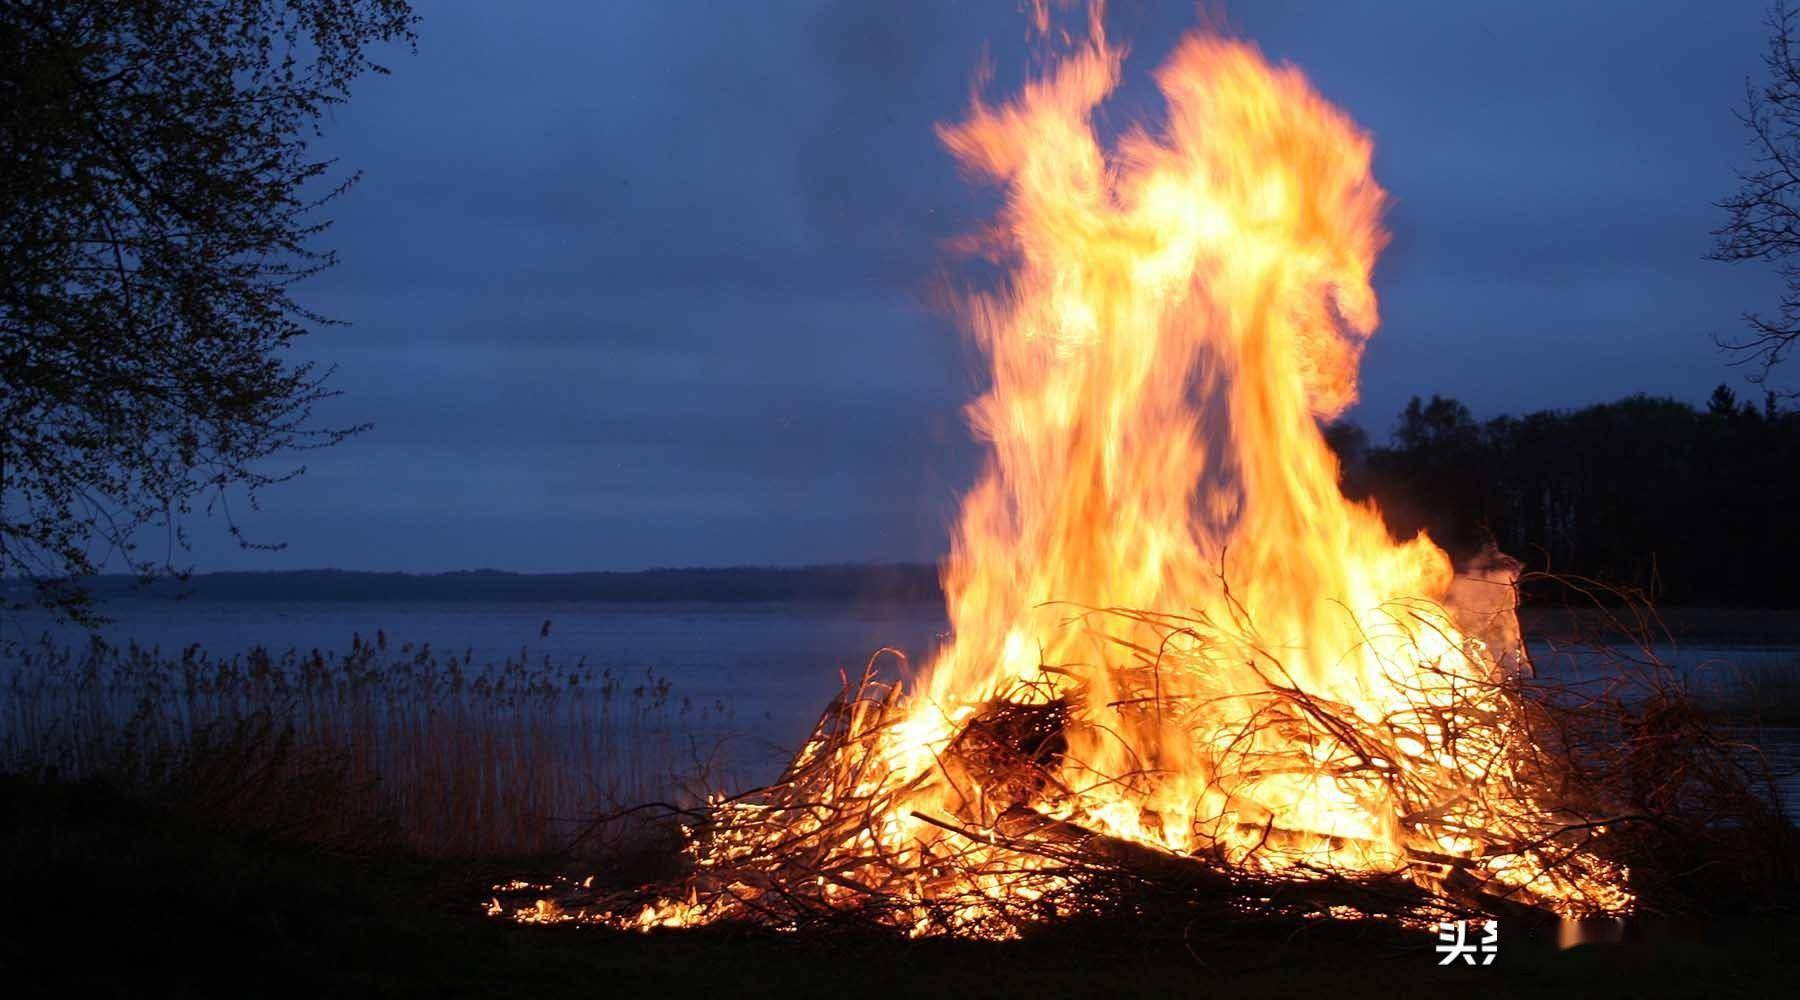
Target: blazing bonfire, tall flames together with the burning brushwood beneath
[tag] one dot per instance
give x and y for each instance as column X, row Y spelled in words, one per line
column 1182, row 661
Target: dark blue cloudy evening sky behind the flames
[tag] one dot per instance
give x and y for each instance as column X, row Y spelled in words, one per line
column 642, row 283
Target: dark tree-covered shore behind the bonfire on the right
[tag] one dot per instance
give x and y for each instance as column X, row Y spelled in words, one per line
column 1689, row 506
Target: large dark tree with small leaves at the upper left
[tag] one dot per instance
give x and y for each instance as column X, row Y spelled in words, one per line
column 159, row 202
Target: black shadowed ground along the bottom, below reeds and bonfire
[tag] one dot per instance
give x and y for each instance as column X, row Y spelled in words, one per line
column 105, row 897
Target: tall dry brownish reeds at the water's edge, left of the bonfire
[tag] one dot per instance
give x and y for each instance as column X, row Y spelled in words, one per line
column 379, row 747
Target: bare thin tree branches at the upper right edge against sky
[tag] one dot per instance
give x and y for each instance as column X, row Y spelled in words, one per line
column 1763, row 215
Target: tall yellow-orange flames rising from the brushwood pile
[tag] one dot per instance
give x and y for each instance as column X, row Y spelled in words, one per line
column 1183, row 312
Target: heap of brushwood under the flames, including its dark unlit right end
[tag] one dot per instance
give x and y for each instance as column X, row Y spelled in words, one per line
column 1612, row 774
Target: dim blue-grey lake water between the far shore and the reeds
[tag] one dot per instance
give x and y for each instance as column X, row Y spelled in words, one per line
column 775, row 666
